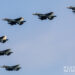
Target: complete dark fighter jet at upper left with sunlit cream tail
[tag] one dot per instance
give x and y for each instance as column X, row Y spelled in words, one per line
column 19, row 21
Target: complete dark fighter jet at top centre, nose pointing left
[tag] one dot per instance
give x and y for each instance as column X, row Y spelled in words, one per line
column 49, row 16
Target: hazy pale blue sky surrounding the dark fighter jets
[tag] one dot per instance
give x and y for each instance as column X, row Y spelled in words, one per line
column 40, row 47
